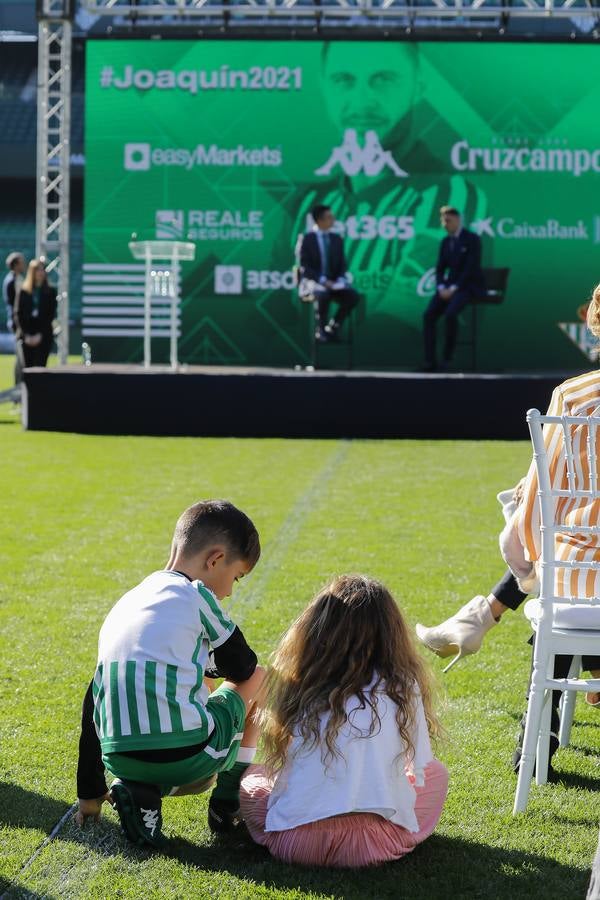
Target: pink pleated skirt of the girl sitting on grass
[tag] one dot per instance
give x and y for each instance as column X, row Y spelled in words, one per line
column 349, row 841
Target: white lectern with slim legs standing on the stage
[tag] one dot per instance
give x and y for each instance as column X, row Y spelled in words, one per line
column 161, row 282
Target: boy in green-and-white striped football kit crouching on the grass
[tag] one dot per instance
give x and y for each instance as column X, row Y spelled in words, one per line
column 148, row 716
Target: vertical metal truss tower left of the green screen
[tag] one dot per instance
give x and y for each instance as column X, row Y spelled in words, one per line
column 53, row 151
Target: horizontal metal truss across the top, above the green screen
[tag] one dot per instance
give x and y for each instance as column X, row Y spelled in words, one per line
column 333, row 10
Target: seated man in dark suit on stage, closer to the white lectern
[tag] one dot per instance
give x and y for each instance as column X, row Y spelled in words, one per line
column 322, row 262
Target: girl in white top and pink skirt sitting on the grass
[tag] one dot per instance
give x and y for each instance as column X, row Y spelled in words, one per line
column 349, row 777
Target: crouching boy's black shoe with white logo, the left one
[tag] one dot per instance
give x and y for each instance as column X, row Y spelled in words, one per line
column 139, row 808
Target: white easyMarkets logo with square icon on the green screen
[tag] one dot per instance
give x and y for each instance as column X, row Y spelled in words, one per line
column 141, row 157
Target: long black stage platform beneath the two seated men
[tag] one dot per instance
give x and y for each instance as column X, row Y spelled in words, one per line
column 197, row 401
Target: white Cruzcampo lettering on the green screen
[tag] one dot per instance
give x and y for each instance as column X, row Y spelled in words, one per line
column 465, row 158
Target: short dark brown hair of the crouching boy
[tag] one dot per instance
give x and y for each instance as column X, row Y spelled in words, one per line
column 217, row 522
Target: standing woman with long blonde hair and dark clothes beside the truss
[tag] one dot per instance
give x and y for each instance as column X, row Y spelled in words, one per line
column 35, row 310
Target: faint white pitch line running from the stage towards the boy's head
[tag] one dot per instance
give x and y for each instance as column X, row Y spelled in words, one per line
column 277, row 549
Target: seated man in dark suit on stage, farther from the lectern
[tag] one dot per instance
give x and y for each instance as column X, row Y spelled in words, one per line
column 459, row 279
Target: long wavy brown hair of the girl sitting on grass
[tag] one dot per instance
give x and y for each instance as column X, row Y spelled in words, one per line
column 350, row 636
